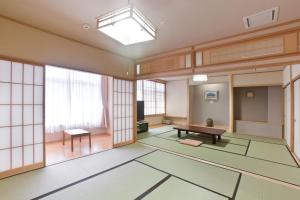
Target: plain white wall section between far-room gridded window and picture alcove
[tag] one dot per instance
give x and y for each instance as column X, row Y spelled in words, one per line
column 177, row 98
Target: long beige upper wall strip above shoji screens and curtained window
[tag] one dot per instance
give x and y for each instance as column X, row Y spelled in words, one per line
column 27, row 43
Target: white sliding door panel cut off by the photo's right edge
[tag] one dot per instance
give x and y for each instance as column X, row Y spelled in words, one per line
column 297, row 118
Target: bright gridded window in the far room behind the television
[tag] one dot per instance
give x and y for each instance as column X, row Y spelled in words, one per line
column 153, row 94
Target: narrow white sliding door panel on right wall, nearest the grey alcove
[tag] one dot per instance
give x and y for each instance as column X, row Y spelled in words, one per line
column 287, row 115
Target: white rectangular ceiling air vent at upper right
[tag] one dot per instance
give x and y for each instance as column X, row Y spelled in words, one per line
column 261, row 18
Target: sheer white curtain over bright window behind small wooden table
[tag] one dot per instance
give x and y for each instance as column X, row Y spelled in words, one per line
column 74, row 99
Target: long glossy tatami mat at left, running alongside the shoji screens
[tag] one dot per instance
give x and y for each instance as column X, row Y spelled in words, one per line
column 38, row 182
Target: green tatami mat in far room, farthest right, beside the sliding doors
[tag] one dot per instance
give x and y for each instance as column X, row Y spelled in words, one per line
column 272, row 152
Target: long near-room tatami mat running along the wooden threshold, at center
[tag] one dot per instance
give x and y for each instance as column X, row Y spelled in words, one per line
column 213, row 178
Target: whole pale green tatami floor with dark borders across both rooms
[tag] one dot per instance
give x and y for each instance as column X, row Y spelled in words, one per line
column 168, row 170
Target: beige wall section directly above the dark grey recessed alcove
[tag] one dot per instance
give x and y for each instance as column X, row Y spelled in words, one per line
column 258, row 79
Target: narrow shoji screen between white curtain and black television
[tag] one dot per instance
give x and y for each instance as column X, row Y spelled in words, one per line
column 122, row 112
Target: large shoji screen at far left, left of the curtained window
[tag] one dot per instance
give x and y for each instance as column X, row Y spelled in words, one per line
column 21, row 117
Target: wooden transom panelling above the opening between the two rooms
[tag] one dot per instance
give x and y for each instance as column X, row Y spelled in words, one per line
column 273, row 49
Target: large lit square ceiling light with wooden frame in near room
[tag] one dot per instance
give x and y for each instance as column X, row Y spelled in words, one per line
column 127, row 26
